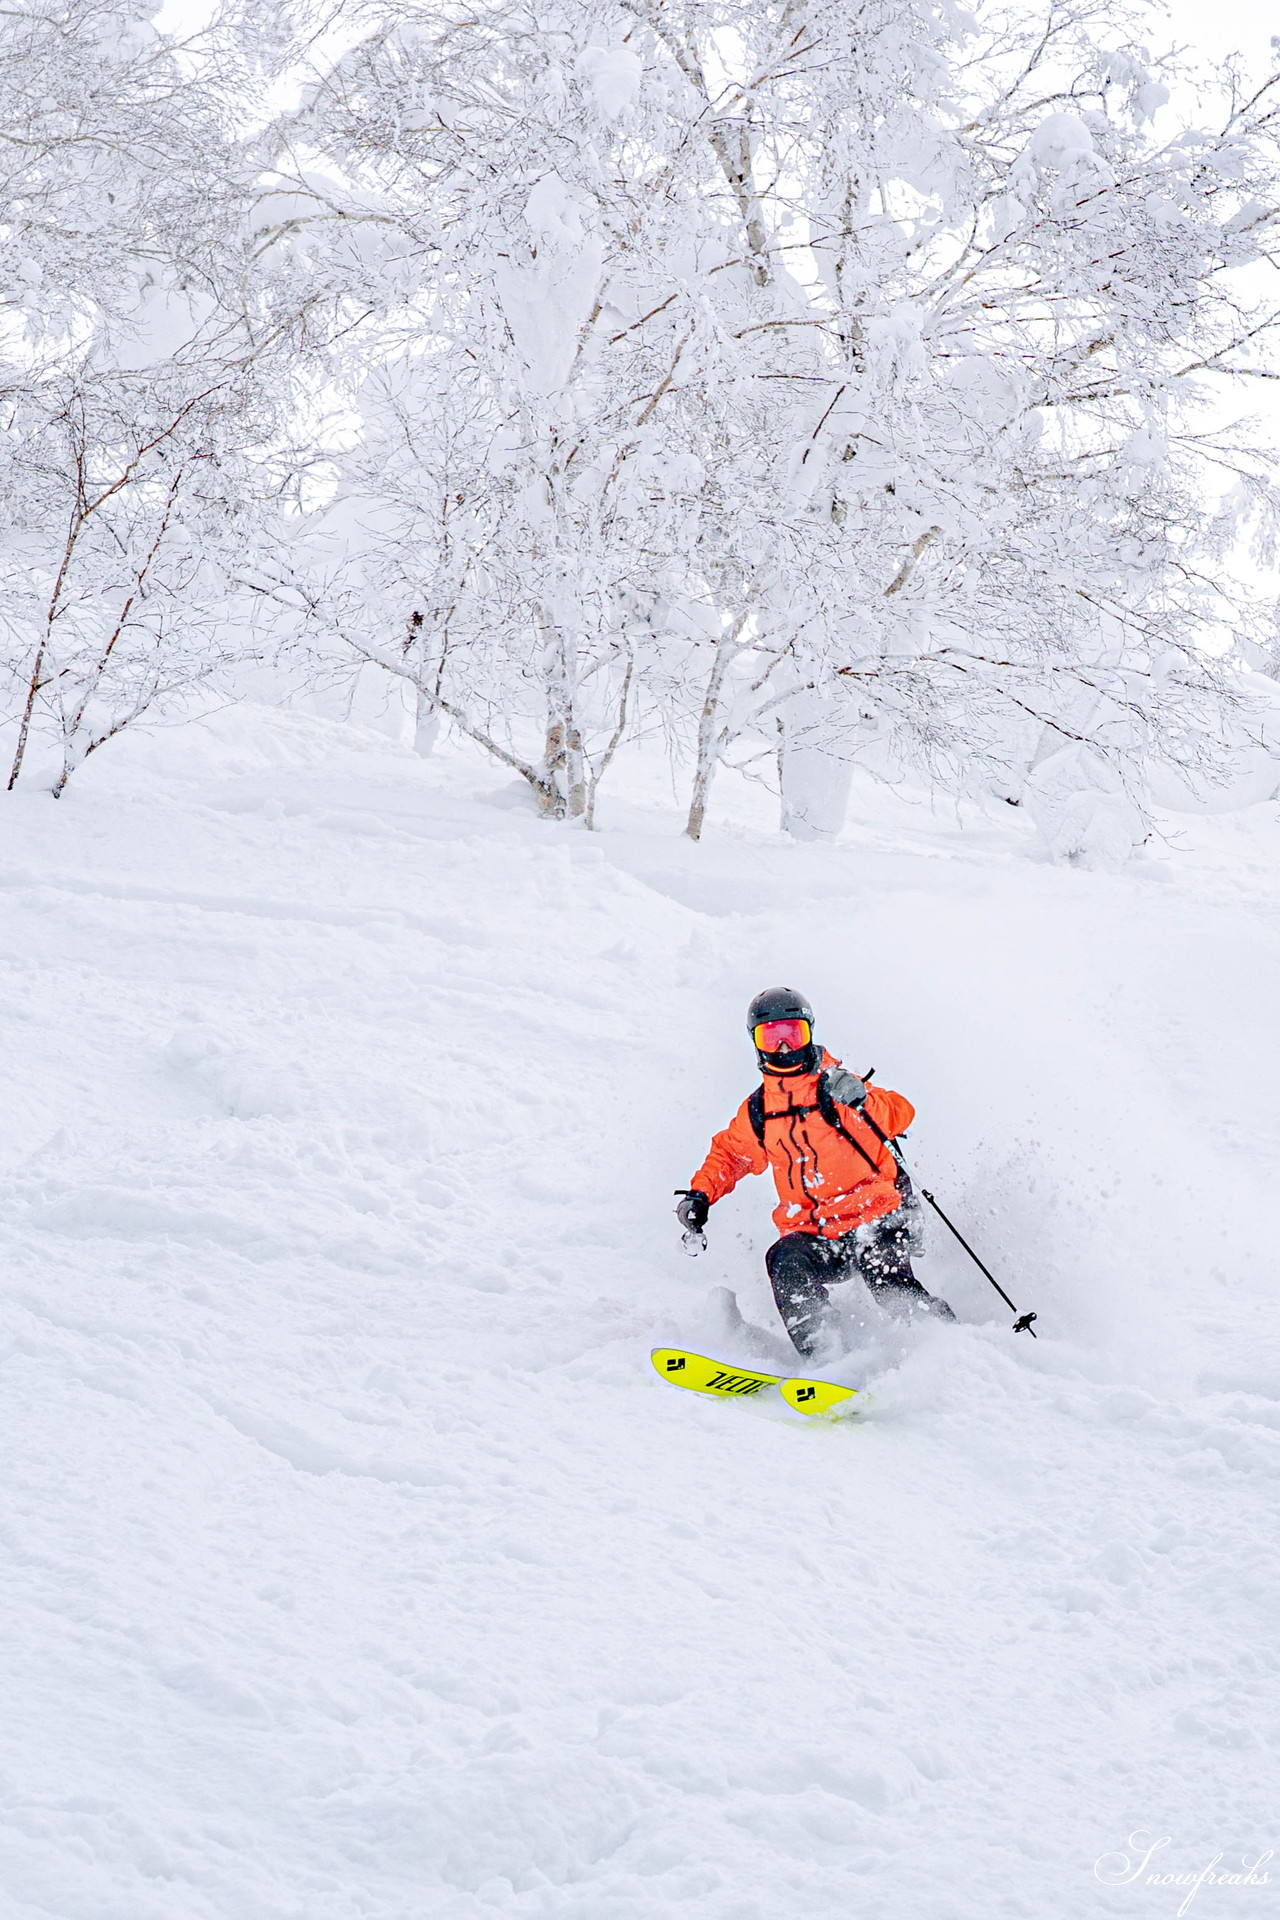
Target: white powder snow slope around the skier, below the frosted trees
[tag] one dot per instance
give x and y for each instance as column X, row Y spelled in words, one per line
column 356, row 1562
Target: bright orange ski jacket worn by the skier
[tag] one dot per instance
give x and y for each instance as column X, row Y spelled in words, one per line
column 824, row 1186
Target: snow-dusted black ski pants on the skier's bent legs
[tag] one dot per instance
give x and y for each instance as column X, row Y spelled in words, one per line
column 803, row 1266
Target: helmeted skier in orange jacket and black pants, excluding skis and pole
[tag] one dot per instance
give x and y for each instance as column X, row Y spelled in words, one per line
column 840, row 1188
